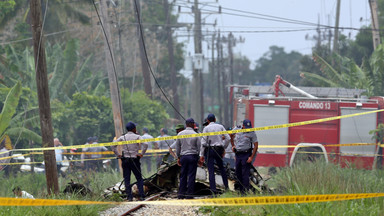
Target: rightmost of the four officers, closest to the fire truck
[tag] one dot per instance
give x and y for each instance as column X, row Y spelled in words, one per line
column 245, row 146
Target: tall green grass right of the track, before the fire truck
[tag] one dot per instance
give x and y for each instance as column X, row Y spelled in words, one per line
column 317, row 178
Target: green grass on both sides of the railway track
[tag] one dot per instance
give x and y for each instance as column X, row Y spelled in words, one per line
column 303, row 179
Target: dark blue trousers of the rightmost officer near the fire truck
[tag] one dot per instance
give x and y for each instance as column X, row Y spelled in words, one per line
column 243, row 170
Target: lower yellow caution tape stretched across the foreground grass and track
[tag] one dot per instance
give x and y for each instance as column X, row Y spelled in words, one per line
column 233, row 201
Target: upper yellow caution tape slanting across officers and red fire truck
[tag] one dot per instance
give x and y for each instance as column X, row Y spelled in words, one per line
column 205, row 134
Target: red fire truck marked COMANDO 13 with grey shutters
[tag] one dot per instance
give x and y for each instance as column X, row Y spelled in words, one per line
column 264, row 106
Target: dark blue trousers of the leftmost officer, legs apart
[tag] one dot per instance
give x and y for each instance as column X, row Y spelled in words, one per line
column 128, row 165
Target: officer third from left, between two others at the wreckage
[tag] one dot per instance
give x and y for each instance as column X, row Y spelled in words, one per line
column 215, row 146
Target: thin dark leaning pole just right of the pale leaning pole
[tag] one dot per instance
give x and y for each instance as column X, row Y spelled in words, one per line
column 143, row 58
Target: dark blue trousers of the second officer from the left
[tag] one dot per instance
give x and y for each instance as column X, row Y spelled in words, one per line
column 188, row 175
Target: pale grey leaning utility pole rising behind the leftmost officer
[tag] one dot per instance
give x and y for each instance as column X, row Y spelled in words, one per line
column 112, row 76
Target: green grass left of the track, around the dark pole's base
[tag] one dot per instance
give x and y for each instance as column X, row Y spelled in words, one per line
column 35, row 184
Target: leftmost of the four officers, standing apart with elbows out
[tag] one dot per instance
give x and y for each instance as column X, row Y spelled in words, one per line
column 130, row 159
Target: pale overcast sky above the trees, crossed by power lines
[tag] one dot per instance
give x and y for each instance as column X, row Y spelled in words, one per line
column 354, row 13
